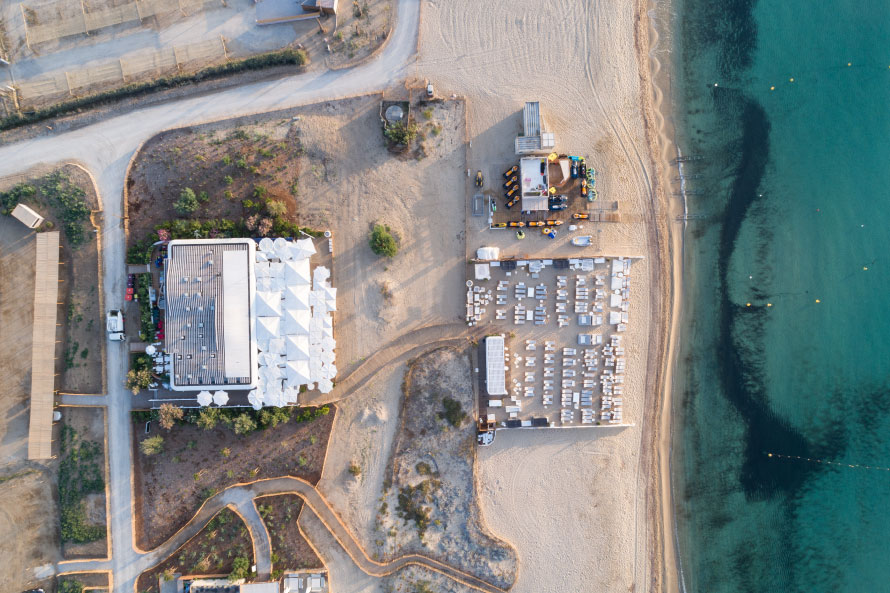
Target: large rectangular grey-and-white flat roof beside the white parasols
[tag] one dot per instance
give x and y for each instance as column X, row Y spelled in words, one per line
column 210, row 306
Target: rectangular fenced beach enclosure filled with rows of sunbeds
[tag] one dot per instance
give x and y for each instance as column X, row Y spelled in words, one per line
column 563, row 323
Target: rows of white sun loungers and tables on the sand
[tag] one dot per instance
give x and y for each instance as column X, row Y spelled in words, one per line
column 583, row 380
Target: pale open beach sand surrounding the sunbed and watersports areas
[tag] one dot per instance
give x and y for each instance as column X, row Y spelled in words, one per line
column 573, row 502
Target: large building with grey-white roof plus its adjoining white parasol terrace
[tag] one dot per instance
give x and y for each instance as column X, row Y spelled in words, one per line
column 246, row 315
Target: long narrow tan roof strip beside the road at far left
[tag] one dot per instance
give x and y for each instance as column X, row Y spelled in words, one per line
column 43, row 346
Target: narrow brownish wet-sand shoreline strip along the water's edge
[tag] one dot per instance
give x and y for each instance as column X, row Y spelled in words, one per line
column 666, row 247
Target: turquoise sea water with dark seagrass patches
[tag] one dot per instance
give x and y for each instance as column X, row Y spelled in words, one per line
column 796, row 191
